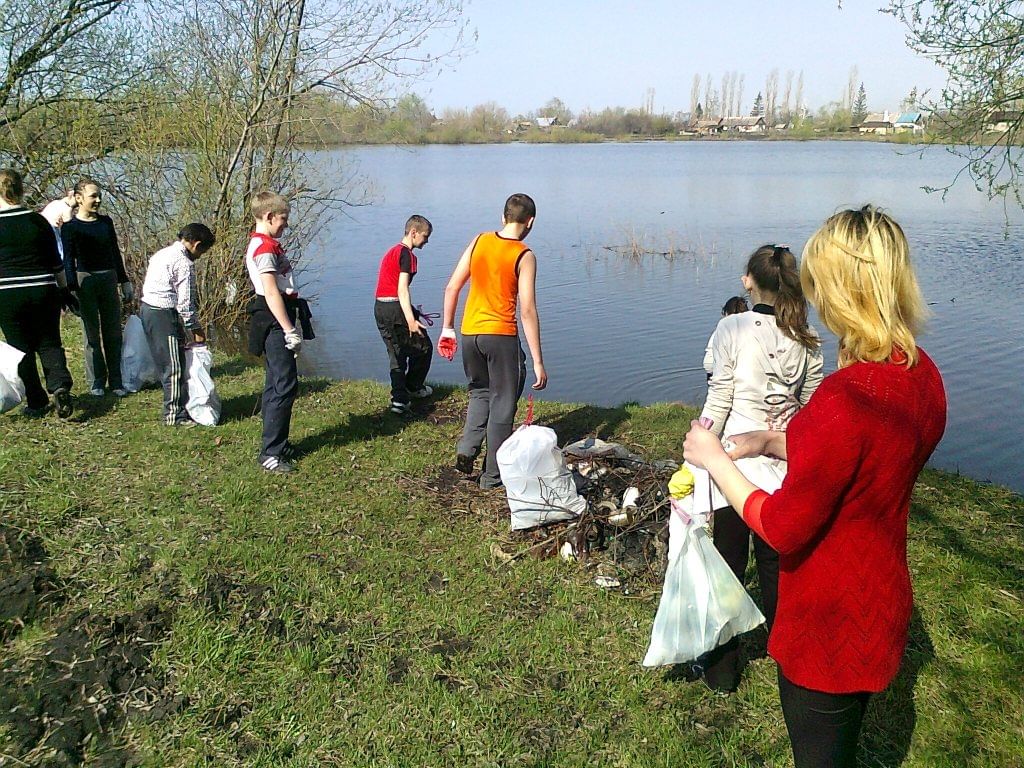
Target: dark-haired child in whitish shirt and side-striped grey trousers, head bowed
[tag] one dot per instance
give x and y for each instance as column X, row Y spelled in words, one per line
column 170, row 316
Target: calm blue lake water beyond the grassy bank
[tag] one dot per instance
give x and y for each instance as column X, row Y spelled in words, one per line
column 617, row 330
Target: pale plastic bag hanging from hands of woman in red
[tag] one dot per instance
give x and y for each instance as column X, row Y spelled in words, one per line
column 703, row 603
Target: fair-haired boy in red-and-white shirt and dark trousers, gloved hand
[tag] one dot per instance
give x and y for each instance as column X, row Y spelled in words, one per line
column 273, row 332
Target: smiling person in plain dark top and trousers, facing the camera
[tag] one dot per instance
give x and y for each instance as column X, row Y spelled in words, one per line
column 96, row 268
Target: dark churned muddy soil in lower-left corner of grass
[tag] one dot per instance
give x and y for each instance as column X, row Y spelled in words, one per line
column 69, row 699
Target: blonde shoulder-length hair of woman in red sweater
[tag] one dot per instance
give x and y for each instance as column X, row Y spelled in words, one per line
column 857, row 271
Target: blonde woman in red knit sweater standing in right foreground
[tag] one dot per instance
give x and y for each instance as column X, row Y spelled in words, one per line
column 839, row 522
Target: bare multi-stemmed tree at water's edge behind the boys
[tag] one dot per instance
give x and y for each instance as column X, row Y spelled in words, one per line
column 252, row 67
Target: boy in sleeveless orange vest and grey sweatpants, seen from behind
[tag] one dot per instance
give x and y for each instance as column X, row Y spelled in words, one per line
column 502, row 274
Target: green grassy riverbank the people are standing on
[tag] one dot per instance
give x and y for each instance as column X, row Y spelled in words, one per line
column 166, row 604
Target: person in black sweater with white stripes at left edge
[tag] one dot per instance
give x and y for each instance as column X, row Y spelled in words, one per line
column 30, row 298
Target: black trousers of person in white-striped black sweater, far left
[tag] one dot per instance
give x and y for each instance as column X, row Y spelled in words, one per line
column 30, row 319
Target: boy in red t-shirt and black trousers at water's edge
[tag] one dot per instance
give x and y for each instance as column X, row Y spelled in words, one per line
column 409, row 348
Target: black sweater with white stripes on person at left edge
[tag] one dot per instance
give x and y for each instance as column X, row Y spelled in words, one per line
column 28, row 250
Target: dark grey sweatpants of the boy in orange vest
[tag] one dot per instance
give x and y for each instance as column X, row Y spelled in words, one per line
column 496, row 370
